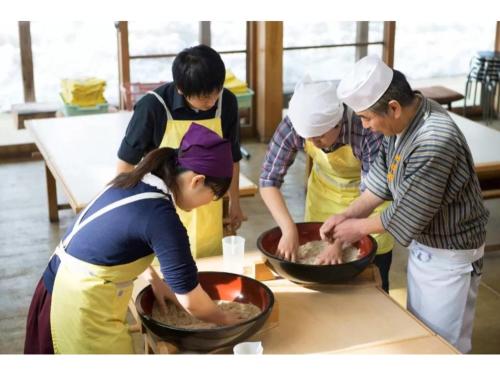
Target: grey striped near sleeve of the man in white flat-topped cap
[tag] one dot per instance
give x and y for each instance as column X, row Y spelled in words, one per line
column 421, row 189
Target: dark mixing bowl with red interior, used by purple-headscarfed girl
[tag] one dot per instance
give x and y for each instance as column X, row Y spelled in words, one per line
column 219, row 286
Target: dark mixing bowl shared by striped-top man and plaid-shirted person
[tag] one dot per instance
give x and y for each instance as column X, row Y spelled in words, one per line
column 308, row 273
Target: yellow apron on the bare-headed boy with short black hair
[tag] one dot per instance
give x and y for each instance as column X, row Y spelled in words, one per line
column 203, row 224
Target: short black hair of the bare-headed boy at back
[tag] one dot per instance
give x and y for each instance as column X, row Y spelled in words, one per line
column 198, row 71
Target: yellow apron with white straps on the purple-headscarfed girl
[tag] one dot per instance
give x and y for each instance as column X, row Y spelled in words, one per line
column 89, row 302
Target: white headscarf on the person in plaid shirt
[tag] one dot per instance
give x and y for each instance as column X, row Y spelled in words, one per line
column 314, row 107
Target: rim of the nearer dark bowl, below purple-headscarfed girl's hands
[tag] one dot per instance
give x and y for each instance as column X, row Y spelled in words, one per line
column 268, row 290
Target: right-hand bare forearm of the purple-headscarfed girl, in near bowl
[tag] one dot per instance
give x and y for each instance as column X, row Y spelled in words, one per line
column 198, row 304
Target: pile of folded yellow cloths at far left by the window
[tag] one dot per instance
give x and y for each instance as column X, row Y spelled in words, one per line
column 83, row 92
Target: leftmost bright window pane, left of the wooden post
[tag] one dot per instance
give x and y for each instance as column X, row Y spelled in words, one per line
column 11, row 83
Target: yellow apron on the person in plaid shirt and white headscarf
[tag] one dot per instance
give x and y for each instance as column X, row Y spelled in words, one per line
column 334, row 183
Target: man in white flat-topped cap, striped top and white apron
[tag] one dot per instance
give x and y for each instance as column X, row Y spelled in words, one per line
column 425, row 168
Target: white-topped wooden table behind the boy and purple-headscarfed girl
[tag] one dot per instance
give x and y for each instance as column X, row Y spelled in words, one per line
column 81, row 153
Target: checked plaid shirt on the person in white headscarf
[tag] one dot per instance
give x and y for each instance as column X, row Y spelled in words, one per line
column 285, row 143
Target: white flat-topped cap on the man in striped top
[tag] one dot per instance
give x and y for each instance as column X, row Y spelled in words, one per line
column 365, row 84
